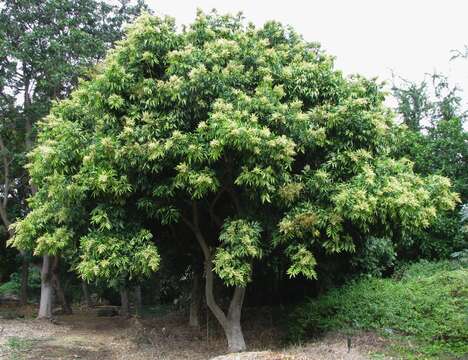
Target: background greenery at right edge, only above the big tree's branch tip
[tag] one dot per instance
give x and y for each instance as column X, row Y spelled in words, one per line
column 437, row 139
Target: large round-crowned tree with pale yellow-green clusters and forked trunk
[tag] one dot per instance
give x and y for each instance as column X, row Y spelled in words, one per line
column 247, row 138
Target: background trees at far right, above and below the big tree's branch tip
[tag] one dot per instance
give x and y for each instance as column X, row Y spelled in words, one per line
column 436, row 140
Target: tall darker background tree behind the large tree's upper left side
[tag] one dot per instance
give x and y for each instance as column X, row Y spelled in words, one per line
column 44, row 47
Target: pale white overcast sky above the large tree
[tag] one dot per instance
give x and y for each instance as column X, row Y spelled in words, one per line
column 370, row 37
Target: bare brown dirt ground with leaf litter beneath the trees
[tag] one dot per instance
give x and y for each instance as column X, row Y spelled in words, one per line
column 86, row 336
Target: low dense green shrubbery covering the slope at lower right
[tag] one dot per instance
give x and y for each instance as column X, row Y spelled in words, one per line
column 427, row 301
